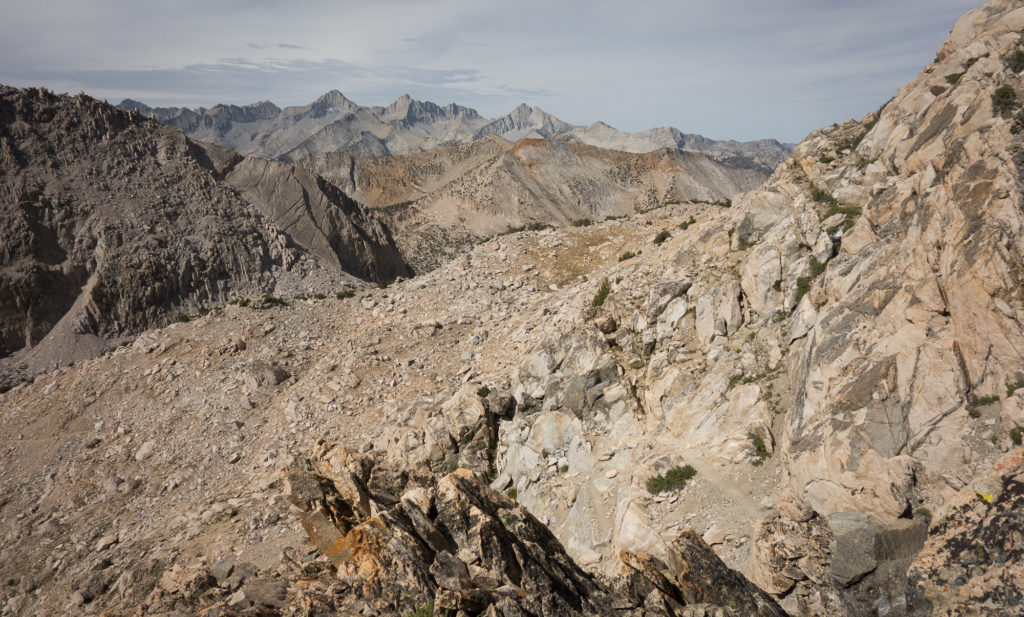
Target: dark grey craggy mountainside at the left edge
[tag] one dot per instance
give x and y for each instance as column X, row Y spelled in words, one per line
column 114, row 224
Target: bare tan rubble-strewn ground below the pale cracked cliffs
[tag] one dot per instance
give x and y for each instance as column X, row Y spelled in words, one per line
column 168, row 450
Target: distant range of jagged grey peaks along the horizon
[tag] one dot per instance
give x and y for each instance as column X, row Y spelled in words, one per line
column 408, row 126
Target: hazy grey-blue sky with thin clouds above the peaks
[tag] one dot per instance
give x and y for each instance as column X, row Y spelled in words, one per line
column 724, row 69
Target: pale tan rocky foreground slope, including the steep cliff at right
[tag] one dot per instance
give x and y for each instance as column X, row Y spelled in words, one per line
column 810, row 404
